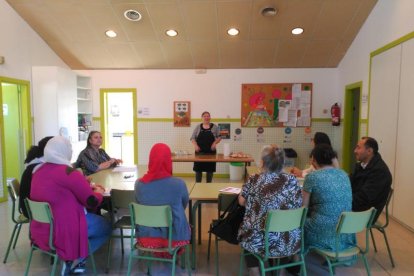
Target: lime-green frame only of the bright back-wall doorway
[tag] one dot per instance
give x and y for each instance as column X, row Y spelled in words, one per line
column 104, row 120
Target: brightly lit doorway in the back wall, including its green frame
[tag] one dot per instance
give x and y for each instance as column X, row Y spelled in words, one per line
column 118, row 124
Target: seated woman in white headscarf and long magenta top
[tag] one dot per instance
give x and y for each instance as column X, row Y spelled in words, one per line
column 68, row 193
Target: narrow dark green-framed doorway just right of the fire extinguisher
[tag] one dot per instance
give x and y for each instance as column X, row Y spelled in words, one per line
column 351, row 124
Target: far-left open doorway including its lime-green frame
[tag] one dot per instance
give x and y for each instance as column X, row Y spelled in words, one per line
column 15, row 128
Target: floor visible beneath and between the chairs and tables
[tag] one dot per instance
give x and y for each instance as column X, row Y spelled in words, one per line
column 401, row 240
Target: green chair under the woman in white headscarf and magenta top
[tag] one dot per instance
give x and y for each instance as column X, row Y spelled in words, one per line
column 41, row 212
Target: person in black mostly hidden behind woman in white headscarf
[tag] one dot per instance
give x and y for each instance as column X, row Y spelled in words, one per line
column 34, row 157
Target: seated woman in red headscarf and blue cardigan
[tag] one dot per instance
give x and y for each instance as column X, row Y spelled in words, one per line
column 158, row 187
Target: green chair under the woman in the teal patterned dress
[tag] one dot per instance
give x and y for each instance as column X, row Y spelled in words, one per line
column 349, row 223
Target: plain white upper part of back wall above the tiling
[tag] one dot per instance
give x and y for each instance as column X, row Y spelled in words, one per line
column 218, row 91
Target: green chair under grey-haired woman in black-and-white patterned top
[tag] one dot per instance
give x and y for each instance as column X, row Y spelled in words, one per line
column 280, row 221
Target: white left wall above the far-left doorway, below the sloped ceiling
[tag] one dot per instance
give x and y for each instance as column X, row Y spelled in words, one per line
column 21, row 46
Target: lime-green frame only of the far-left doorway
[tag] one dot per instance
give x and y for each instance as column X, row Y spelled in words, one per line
column 26, row 107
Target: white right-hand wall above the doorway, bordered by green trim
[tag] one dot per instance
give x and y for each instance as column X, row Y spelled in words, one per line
column 388, row 21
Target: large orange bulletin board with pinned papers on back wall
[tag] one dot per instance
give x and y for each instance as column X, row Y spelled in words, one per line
column 276, row 105
